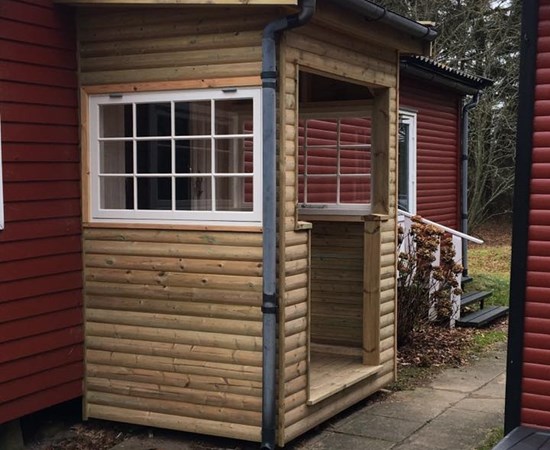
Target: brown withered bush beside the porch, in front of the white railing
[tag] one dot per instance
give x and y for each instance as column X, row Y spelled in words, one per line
column 424, row 289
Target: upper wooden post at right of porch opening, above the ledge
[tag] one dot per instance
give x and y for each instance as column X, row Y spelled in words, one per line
column 380, row 142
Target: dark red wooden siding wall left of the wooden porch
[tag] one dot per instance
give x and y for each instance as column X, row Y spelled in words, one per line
column 40, row 247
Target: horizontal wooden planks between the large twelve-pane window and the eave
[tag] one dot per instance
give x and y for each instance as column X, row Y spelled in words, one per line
column 169, row 44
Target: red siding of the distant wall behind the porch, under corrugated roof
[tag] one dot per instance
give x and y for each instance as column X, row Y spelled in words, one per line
column 438, row 149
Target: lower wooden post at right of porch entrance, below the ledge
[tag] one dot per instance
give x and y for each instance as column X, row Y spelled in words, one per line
column 371, row 291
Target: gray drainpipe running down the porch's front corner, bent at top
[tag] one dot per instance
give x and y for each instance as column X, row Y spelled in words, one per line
column 269, row 306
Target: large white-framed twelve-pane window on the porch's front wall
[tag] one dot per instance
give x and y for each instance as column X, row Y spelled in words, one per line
column 176, row 156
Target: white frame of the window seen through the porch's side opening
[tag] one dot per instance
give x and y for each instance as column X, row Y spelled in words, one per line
column 337, row 208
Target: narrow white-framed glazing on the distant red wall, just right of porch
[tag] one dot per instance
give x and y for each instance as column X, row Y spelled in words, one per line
column 407, row 162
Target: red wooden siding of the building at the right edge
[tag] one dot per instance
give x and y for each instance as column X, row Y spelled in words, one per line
column 535, row 400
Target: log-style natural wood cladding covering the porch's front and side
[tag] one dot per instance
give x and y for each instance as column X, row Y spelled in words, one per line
column 173, row 315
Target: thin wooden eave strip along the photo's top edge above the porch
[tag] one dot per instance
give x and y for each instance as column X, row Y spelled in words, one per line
column 178, row 2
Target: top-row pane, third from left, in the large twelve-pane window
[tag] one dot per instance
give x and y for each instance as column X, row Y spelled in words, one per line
column 193, row 118
